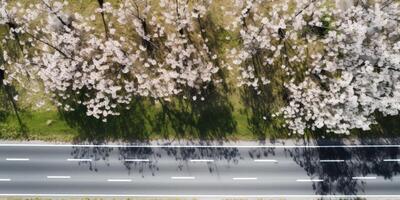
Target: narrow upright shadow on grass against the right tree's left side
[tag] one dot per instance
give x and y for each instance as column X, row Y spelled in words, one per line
column 260, row 105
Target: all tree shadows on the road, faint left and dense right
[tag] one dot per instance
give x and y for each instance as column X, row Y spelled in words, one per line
column 336, row 176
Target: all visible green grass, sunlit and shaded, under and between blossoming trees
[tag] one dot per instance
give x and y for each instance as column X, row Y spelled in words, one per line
column 231, row 114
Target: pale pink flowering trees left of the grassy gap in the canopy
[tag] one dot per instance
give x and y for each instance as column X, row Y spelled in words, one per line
column 155, row 52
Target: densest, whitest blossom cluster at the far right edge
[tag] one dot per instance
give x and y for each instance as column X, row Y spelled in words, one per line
column 358, row 75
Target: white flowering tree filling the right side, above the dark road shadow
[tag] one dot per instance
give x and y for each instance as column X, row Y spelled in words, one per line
column 341, row 59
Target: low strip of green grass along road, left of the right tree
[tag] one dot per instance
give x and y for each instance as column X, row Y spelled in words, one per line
column 50, row 126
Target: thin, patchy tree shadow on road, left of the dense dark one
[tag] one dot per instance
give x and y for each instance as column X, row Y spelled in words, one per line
column 128, row 157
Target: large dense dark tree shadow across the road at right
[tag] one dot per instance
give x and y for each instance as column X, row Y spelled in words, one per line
column 337, row 176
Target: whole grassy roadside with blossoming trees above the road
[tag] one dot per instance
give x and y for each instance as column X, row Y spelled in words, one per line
column 125, row 70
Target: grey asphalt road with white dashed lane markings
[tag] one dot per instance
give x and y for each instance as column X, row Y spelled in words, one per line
column 163, row 171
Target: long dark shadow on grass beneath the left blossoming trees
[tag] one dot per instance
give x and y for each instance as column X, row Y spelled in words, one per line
column 210, row 119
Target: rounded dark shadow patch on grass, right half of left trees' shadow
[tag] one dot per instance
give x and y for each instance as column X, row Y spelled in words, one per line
column 208, row 119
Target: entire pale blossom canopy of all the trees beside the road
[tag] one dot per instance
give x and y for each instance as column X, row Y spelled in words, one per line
column 339, row 59
